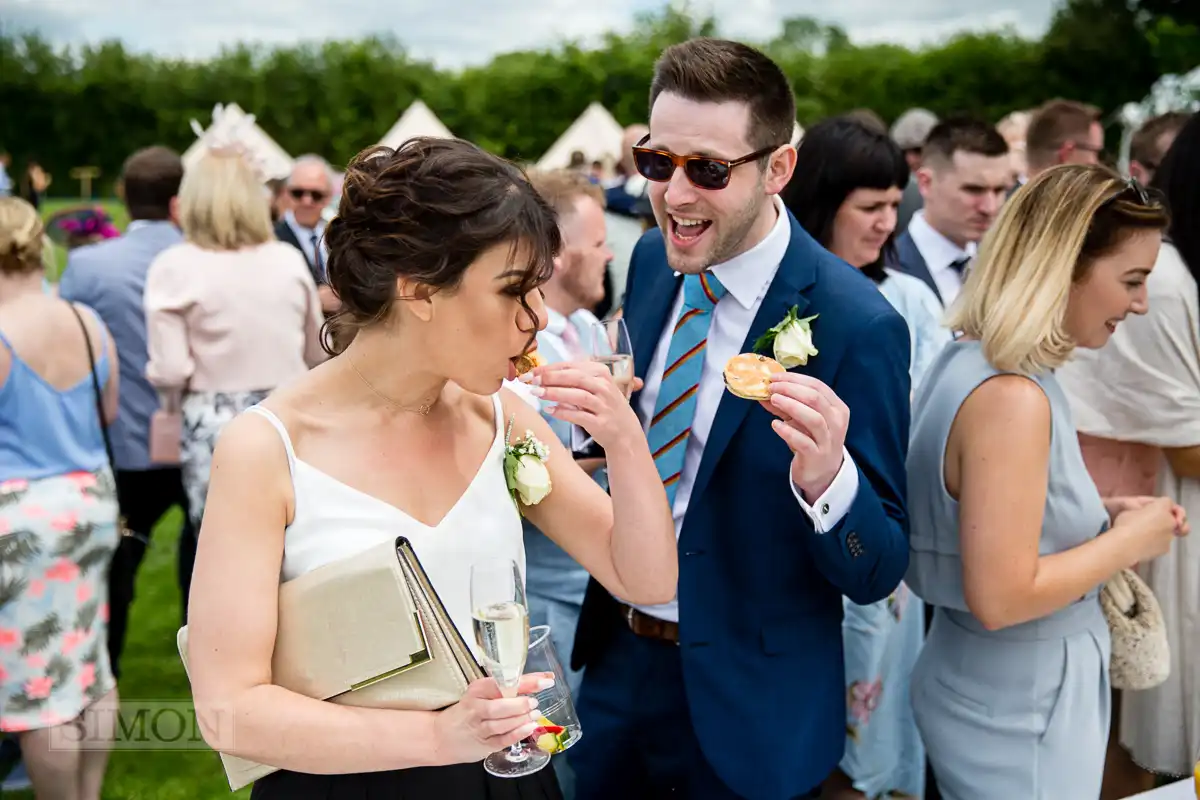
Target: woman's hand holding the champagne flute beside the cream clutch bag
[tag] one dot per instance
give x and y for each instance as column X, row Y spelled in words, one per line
column 485, row 721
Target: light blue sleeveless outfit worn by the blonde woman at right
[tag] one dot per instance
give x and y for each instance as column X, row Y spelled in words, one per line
column 1022, row 712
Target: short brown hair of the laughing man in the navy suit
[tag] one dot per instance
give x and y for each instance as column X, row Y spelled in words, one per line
column 721, row 71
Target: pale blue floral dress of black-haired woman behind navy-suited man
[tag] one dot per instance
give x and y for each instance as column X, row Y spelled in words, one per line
column 883, row 641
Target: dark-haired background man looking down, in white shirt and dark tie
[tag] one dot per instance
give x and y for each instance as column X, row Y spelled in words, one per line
column 964, row 178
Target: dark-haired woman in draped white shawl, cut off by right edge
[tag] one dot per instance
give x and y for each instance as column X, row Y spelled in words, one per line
column 1144, row 389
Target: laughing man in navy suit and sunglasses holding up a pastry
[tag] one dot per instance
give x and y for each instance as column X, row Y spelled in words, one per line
column 736, row 689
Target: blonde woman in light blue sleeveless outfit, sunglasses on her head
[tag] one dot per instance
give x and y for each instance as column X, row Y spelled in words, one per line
column 1012, row 691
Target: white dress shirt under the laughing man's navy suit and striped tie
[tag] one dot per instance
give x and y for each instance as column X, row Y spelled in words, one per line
column 746, row 279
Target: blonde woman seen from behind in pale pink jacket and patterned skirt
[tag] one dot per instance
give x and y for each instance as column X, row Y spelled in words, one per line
column 232, row 314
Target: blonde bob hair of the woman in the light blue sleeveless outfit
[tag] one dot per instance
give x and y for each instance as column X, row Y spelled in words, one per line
column 1046, row 240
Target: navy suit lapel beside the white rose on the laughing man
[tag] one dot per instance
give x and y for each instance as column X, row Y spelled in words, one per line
column 796, row 274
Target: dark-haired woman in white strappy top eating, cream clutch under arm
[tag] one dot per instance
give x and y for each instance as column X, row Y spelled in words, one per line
column 437, row 256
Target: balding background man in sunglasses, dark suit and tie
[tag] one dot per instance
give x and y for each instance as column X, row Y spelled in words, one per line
column 310, row 190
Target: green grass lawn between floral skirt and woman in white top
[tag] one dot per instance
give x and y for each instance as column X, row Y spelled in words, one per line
column 152, row 672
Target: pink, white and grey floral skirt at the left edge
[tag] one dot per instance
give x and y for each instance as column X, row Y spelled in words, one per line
column 57, row 540
